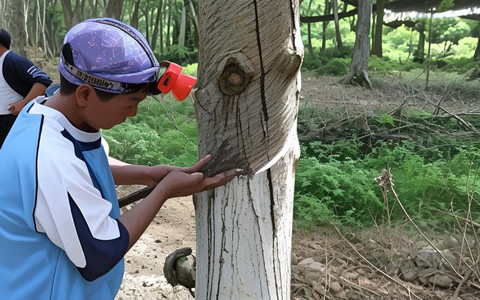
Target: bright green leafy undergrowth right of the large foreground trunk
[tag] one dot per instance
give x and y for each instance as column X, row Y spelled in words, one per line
column 333, row 187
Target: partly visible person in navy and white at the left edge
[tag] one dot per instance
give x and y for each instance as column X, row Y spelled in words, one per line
column 20, row 82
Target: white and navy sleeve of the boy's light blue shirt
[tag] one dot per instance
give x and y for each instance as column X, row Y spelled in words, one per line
column 72, row 212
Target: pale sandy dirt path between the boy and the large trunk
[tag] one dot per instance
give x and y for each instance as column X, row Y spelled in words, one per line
column 172, row 229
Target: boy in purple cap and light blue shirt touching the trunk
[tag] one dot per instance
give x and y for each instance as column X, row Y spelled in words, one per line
column 62, row 235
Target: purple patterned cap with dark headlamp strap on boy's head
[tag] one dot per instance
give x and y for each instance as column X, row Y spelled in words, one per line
column 108, row 55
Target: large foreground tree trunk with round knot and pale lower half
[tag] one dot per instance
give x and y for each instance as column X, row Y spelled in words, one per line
column 246, row 103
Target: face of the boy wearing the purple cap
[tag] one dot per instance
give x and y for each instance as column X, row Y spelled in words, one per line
column 106, row 114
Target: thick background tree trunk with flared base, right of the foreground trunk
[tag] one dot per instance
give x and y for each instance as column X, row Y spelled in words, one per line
column 361, row 51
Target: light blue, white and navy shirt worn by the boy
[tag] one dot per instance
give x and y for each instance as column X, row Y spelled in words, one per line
column 60, row 237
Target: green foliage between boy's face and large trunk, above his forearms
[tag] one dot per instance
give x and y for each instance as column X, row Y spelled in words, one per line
column 164, row 132
